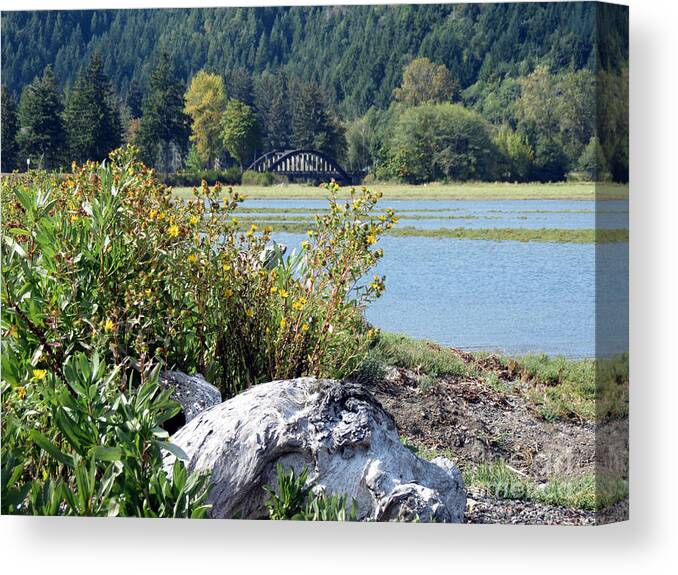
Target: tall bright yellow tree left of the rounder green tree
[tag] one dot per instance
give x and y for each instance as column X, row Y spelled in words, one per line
column 205, row 104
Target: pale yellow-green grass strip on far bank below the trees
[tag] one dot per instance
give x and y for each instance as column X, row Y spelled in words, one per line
column 444, row 191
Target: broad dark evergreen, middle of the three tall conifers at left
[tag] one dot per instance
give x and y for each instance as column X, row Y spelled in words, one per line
column 92, row 118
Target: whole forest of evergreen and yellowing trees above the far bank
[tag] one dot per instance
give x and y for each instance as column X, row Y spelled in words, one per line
column 513, row 92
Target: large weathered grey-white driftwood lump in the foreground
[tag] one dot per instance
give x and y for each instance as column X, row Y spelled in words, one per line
column 338, row 431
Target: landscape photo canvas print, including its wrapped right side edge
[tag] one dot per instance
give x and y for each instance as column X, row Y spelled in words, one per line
column 322, row 263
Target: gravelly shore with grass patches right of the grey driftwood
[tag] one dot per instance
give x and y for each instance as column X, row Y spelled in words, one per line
column 524, row 431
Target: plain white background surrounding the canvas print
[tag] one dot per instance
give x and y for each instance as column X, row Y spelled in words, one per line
column 647, row 543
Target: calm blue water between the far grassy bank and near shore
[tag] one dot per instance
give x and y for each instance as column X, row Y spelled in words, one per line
column 505, row 296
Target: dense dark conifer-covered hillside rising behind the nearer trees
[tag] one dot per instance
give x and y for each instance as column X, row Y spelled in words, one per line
column 355, row 53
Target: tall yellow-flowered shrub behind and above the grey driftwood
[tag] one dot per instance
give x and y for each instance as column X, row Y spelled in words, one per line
column 108, row 261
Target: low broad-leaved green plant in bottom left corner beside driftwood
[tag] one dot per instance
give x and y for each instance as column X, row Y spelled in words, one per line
column 88, row 444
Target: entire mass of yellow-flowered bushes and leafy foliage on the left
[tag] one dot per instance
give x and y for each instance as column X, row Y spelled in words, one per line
column 106, row 265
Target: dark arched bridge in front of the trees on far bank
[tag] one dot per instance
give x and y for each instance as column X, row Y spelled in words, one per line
column 302, row 165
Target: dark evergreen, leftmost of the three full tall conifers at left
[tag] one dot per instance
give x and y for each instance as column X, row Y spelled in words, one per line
column 42, row 137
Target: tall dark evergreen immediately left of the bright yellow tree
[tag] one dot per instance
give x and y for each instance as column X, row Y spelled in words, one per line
column 164, row 127
